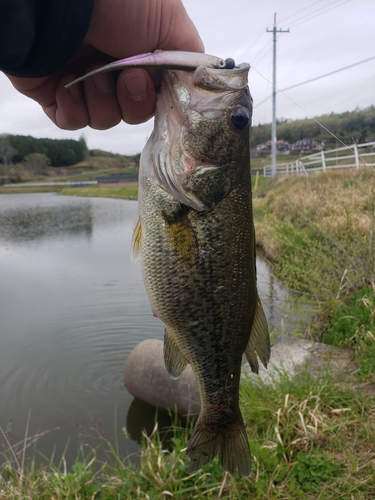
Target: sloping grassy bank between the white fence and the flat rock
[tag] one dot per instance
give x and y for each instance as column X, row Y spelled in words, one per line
column 319, row 231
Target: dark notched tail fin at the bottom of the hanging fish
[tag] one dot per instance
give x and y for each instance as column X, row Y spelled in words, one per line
column 233, row 449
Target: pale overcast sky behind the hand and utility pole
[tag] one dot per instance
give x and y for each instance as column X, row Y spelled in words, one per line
column 325, row 35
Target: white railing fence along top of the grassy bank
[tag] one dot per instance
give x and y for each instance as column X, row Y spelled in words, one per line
column 355, row 156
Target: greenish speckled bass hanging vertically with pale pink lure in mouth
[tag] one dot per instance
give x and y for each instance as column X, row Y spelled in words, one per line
column 195, row 236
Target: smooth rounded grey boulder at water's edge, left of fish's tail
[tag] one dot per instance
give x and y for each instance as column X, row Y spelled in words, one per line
column 146, row 378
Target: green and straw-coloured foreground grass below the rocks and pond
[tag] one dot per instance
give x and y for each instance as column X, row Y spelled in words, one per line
column 311, row 438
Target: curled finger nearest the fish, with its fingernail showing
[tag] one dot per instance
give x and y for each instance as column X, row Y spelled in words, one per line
column 136, row 95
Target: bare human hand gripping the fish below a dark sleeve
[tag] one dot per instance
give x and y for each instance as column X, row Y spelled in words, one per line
column 118, row 29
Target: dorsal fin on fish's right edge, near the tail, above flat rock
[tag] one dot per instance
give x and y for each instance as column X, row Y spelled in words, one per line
column 259, row 341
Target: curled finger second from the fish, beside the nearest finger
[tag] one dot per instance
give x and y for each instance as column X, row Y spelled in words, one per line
column 101, row 100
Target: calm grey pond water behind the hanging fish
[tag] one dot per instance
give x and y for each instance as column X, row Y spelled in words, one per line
column 72, row 307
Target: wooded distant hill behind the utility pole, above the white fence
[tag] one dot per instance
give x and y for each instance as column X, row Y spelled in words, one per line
column 351, row 126
